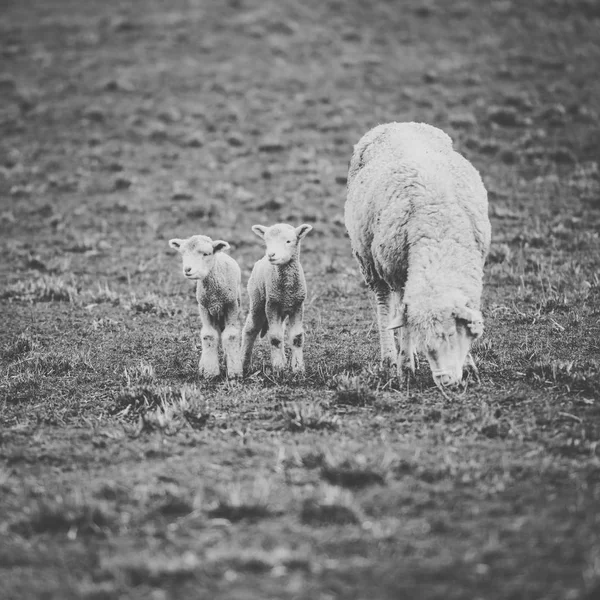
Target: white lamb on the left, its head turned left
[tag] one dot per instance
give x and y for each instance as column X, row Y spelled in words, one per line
column 218, row 291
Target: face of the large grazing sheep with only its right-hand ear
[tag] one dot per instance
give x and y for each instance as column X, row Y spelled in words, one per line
column 447, row 349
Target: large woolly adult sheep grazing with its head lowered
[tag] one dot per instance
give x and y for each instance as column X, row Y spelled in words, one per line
column 416, row 213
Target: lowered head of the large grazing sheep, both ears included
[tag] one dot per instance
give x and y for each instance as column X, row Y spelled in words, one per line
column 444, row 333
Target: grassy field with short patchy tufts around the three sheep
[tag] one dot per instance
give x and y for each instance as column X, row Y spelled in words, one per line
column 122, row 474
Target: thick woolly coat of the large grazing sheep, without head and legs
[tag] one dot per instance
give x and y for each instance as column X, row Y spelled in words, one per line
column 416, row 214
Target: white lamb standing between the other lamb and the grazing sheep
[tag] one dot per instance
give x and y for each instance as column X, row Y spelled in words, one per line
column 277, row 289
